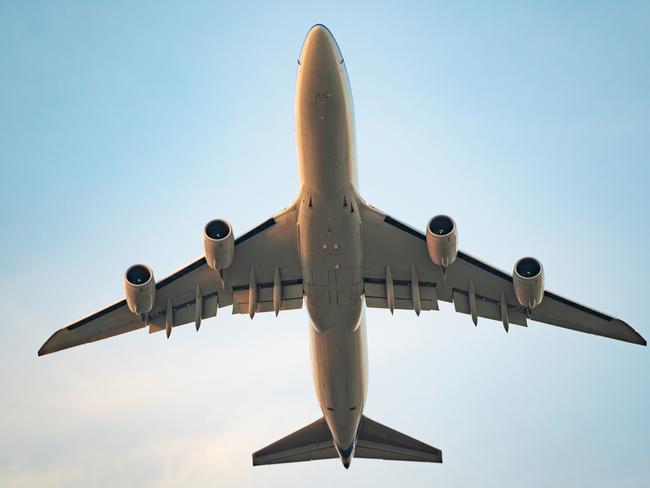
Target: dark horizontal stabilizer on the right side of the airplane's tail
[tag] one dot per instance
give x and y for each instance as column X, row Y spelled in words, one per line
column 376, row 441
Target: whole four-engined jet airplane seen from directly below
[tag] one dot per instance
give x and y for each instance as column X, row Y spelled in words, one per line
column 334, row 252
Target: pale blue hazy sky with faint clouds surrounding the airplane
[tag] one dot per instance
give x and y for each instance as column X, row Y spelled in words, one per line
column 125, row 128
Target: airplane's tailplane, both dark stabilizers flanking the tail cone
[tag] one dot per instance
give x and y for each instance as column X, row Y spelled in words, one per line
column 374, row 441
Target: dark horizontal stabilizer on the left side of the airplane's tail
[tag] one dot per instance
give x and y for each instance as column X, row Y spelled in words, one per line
column 307, row 444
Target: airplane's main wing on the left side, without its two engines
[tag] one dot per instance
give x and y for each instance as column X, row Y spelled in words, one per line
column 258, row 253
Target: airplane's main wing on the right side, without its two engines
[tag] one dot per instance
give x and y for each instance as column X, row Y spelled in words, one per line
column 397, row 253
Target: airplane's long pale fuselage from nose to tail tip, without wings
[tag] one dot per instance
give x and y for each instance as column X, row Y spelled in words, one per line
column 329, row 229
